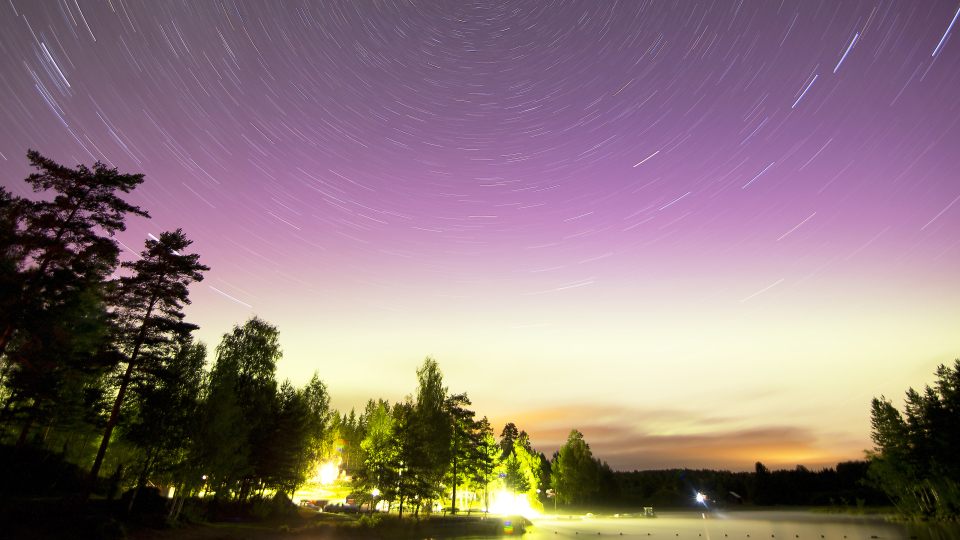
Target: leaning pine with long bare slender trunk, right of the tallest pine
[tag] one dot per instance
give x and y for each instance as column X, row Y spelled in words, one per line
column 149, row 318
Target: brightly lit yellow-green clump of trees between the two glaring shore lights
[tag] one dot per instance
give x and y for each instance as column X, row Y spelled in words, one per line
column 430, row 450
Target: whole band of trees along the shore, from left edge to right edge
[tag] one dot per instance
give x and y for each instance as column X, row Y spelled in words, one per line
column 104, row 391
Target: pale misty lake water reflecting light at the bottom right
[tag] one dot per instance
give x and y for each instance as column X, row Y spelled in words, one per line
column 743, row 525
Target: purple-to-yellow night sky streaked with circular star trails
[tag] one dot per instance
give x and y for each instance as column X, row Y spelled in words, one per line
column 702, row 233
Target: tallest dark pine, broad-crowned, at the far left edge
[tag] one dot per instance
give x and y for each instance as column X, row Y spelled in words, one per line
column 55, row 256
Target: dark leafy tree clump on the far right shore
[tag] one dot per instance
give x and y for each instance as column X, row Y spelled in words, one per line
column 915, row 459
